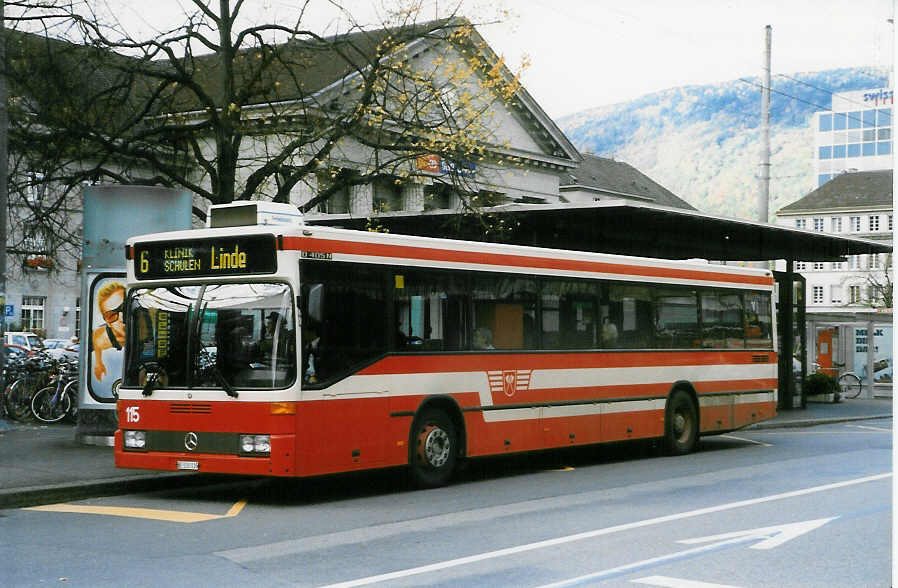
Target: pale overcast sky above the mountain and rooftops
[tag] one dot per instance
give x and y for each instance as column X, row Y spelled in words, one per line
column 588, row 53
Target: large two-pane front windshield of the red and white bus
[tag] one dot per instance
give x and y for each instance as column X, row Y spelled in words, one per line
column 211, row 336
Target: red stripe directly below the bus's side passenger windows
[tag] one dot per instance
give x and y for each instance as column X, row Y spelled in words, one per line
column 465, row 362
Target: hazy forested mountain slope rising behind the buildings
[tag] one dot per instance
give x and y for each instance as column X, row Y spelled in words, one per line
column 703, row 142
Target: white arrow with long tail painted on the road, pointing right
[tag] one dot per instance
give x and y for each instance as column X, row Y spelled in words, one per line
column 770, row 537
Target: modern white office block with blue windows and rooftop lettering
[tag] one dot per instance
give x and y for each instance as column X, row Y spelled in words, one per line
column 856, row 135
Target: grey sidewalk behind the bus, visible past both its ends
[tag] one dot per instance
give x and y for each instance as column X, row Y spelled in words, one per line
column 43, row 464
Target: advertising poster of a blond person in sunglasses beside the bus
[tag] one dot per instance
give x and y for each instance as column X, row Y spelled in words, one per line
column 107, row 336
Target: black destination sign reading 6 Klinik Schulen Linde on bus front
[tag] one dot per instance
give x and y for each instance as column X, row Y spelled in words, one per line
column 223, row 256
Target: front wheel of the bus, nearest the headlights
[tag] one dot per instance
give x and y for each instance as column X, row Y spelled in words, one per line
column 434, row 447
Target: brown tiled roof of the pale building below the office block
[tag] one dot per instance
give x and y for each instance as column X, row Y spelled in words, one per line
column 848, row 190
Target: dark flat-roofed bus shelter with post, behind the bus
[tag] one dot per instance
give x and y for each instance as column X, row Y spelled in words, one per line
column 642, row 229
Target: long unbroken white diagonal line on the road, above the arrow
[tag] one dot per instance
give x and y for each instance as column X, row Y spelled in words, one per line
column 434, row 567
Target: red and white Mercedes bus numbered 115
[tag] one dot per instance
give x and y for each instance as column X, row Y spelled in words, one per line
column 298, row 350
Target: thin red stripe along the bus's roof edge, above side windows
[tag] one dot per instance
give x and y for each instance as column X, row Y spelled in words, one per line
column 504, row 259
